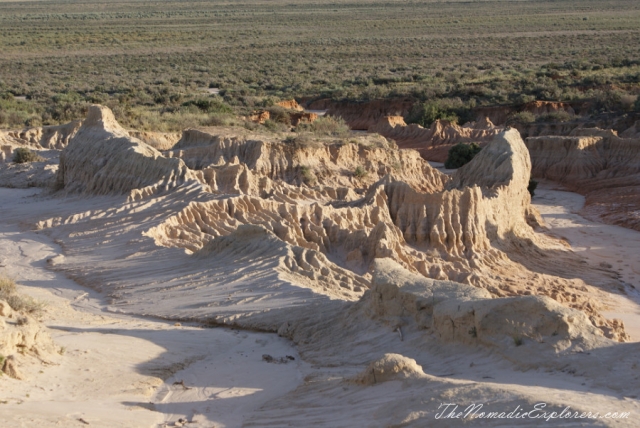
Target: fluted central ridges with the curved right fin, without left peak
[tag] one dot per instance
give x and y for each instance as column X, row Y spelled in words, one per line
column 453, row 229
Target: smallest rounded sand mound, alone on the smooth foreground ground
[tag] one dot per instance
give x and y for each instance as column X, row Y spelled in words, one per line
column 389, row 367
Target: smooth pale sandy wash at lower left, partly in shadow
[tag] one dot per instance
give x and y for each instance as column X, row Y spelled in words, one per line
column 121, row 371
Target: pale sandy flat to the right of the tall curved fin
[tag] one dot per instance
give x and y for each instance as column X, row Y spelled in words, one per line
column 604, row 246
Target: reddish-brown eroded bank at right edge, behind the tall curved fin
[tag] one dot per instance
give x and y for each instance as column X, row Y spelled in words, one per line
column 598, row 164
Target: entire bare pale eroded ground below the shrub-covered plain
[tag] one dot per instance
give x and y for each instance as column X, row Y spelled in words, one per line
column 223, row 277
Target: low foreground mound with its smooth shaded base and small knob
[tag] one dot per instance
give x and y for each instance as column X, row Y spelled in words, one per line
column 427, row 320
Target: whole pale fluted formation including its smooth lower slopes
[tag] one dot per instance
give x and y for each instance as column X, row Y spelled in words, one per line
column 353, row 250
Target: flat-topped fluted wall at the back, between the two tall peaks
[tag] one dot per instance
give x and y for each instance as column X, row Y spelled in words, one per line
column 333, row 164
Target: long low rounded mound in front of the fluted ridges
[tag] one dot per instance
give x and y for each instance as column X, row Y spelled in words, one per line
column 460, row 313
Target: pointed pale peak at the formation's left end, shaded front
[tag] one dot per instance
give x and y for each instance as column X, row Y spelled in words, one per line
column 103, row 159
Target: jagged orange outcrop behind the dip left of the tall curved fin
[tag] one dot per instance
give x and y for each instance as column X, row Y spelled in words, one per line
column 434, row 143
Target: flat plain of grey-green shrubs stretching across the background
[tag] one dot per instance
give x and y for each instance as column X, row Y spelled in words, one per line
column 152, row 61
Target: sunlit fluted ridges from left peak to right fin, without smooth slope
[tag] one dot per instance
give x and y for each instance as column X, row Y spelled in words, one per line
column 470, row 227
